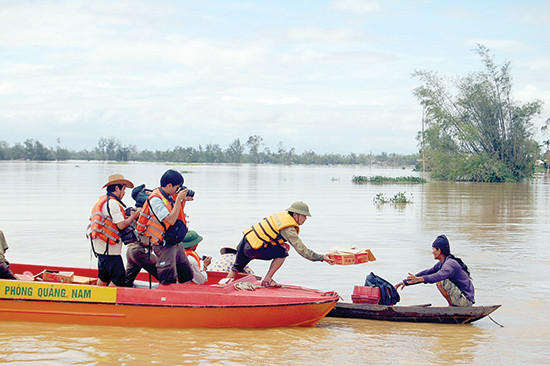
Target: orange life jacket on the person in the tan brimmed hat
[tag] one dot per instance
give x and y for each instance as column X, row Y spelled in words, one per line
column 101, row 226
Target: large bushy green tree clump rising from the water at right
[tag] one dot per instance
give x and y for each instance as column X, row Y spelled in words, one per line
column 480, row 134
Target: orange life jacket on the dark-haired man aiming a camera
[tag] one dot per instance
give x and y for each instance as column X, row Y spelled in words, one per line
column 148, row 223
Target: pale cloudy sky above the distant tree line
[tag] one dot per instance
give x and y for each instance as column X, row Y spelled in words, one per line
column 313, row 75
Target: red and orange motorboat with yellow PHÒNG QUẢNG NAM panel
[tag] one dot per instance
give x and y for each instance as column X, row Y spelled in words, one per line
column 173, row 306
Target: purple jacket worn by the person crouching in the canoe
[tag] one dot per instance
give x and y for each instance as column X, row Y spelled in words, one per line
column 450, row 269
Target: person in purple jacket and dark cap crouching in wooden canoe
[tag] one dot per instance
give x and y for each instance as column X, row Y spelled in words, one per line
column 450, row 275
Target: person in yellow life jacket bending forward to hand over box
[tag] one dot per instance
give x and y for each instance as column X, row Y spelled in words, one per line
column 268, row 240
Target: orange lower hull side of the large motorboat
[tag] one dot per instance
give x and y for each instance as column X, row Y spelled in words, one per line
column 164, row 316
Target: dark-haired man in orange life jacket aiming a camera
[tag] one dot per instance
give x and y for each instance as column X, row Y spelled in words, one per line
column 162, row 223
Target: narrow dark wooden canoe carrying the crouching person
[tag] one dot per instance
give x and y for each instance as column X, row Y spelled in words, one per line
column 420, row 313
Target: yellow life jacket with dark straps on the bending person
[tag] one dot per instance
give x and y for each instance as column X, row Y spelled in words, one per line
column 268, row 230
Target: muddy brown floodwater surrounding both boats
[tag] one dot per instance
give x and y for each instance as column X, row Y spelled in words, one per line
column 500, row 230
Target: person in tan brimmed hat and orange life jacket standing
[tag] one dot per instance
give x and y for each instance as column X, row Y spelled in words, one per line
column 107, row 220
